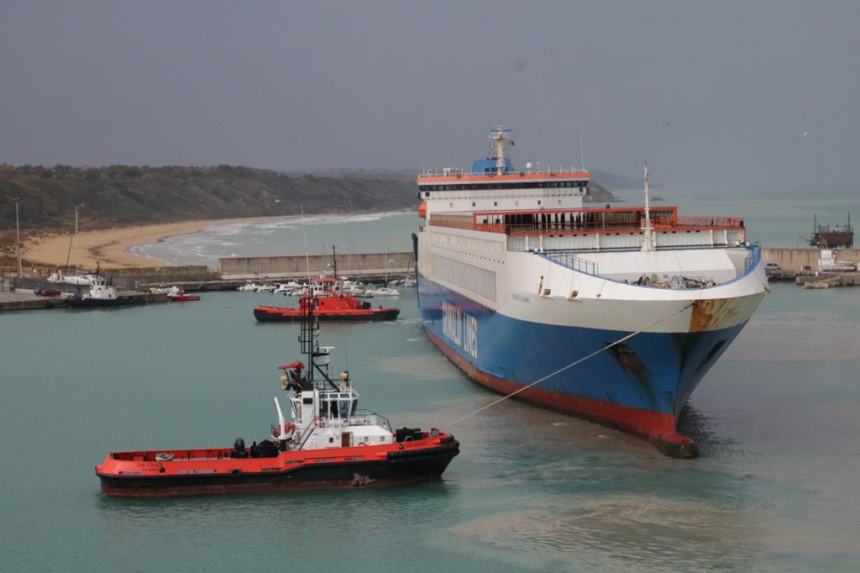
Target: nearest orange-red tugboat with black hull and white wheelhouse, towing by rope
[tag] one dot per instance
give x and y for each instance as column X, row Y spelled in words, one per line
column 327, row 441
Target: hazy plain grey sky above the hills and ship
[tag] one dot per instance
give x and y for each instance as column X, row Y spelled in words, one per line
column 710, row 92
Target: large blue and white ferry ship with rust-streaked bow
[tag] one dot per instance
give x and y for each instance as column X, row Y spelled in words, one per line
column 611, row 314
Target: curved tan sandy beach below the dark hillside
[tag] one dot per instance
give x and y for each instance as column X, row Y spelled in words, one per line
column 110, row 247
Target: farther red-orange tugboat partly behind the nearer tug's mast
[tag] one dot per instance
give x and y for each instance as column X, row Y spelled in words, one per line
column 331, row 303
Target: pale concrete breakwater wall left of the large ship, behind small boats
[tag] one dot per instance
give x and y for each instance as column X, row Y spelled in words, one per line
column 353, row 265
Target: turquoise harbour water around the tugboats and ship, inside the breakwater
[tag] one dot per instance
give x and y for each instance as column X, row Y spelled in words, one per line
column 776, row 488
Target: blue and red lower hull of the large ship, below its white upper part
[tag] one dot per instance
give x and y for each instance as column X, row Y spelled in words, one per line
column 639, row 386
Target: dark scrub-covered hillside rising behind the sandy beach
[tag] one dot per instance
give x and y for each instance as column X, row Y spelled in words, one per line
column 125, row 195
